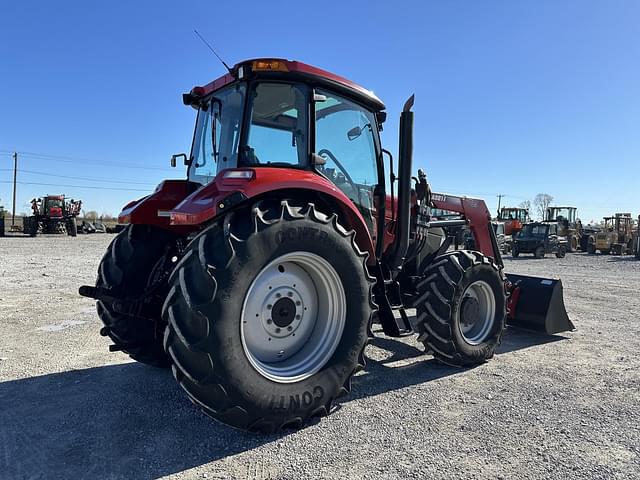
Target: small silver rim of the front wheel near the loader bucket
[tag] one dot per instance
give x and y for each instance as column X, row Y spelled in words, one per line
column 477, row 312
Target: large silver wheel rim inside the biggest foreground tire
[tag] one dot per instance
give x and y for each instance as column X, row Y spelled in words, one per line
column 293, row 317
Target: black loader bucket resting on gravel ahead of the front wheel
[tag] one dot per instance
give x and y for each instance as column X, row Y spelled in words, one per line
column 537, row 304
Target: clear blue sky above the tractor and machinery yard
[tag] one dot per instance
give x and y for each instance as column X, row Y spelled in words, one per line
column 511, row 97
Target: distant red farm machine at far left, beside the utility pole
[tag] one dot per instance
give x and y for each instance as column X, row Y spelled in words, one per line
column 52, row 214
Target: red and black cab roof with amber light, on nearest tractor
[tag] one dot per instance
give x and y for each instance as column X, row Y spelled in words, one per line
column 294, row 70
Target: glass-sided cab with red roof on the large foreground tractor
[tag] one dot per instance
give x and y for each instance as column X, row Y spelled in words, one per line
column 285, row 120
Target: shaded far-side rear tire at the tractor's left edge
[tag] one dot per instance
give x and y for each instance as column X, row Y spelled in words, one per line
column 126, row 269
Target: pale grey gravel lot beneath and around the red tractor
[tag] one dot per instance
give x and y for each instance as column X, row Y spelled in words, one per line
column 545, row 407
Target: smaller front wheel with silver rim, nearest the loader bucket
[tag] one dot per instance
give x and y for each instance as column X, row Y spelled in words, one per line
column 450, row 297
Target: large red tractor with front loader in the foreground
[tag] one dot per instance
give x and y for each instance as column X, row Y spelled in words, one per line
column 258, row 277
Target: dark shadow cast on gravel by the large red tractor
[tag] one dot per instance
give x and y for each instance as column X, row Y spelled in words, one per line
column 132, row 421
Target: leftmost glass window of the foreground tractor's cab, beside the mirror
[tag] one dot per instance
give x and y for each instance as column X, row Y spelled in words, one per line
column 217, row 134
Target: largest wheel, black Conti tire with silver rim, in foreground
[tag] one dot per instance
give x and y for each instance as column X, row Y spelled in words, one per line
column 238, row 298
